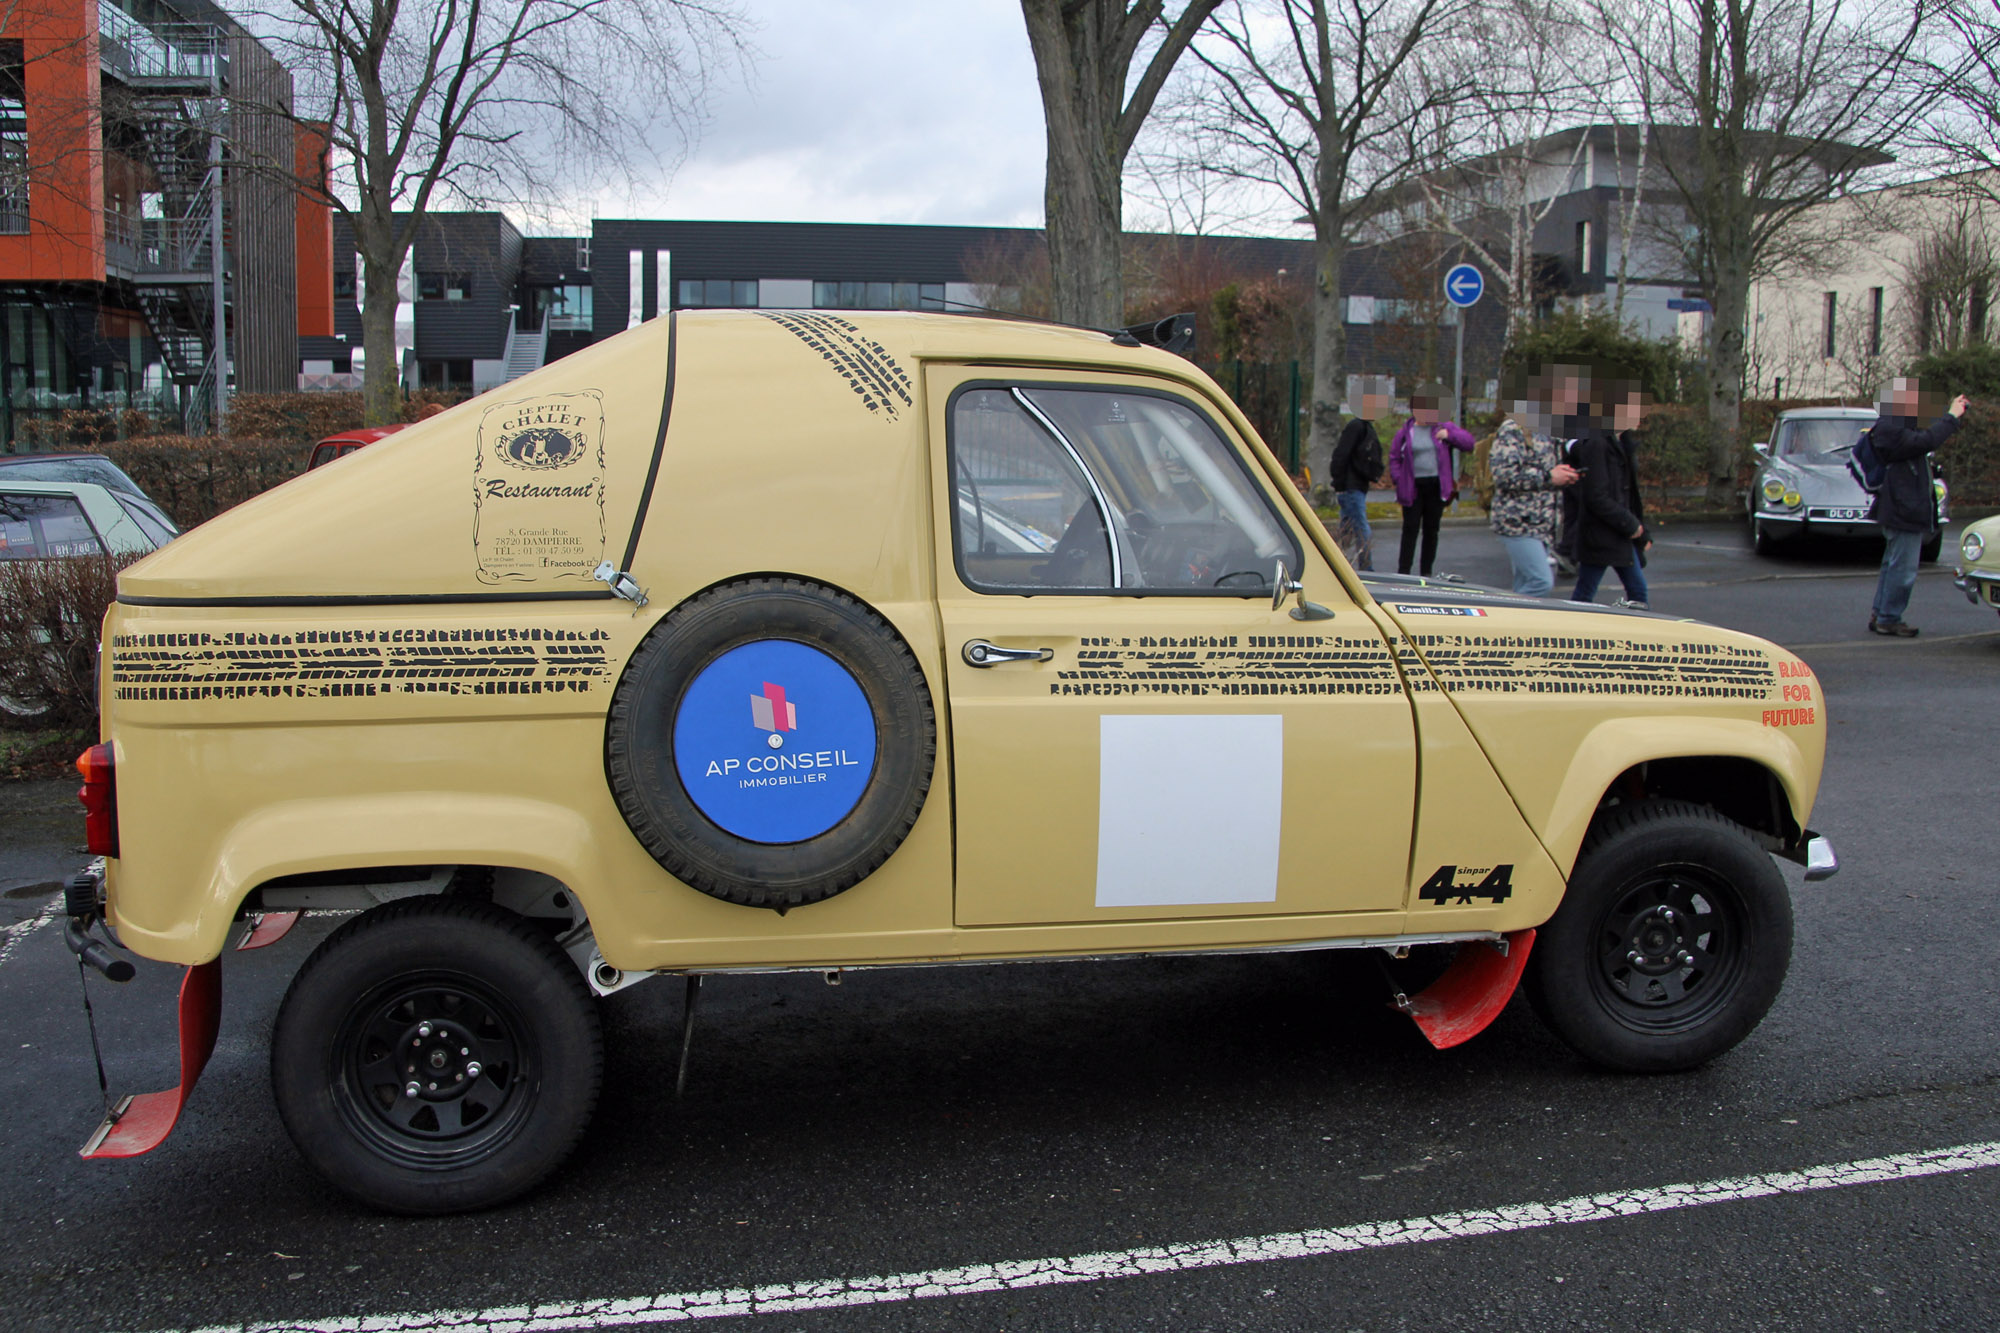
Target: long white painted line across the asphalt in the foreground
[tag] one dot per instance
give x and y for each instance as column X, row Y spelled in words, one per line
column 1023, row 1274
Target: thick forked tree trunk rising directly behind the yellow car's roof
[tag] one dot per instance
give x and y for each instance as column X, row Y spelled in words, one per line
column 1083, row 59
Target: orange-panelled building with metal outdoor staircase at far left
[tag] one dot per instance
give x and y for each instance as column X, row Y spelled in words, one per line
column 155, row 253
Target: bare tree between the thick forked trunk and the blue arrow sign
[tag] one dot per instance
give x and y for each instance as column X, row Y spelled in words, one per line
column 1321, row 103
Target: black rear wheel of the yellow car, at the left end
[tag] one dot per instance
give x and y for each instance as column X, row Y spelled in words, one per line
column 437, row 1056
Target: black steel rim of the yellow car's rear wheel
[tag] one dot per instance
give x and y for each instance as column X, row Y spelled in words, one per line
column 435, row 1072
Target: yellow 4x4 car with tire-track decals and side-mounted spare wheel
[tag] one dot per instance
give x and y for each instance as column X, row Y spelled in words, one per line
column 757, row 641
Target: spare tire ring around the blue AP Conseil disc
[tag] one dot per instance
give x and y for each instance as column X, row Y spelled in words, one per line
column 639, row 744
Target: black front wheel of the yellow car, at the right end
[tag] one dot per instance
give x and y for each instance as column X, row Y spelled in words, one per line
column 1671, row 942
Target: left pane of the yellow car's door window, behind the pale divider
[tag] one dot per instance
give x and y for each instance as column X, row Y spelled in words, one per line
column 1027, row 517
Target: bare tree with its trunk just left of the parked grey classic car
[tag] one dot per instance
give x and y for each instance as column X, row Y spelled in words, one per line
column 1775, row 107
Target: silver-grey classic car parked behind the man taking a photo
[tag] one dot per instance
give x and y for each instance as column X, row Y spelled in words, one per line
column 1803, row 485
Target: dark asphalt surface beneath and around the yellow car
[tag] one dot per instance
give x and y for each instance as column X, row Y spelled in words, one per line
column 957, row 1118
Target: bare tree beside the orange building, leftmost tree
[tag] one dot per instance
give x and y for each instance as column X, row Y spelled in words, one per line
column 481, row 103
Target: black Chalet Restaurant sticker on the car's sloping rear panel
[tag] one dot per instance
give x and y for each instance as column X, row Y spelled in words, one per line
column 539, row 491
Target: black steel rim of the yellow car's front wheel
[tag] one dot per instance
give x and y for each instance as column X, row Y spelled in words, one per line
column 1671, row 950
